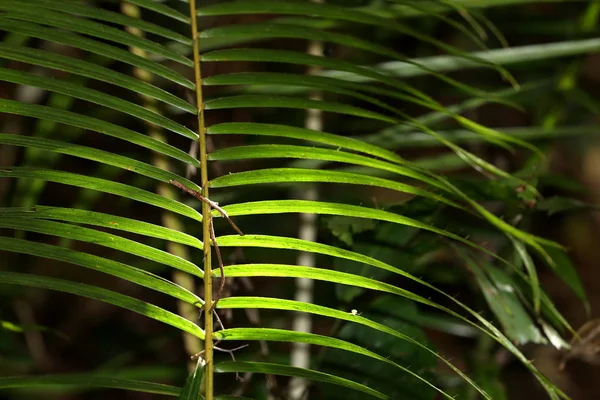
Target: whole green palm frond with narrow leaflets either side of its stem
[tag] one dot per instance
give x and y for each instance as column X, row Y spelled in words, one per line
column 142, row 109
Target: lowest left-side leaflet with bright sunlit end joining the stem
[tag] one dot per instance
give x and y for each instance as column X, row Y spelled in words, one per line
column 107, row 296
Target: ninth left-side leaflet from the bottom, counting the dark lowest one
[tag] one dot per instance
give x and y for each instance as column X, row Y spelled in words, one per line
column 94, row 96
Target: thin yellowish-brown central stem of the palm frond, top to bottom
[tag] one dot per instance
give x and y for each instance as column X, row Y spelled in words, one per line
column 206, row 220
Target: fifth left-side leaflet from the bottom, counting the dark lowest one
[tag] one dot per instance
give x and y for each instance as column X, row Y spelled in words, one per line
column 100, row 219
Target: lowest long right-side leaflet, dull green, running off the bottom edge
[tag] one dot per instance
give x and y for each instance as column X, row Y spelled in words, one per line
column 286, row 370
